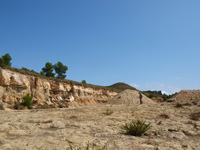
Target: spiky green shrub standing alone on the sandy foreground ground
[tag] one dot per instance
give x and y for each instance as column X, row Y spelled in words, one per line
column 136, row 127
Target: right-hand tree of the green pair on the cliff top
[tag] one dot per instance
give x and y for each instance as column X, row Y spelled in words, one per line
column 60, row 69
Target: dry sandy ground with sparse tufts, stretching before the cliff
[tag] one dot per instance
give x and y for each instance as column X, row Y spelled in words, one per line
column 53, row 129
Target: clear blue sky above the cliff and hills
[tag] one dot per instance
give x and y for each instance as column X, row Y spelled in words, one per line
column 149, row 44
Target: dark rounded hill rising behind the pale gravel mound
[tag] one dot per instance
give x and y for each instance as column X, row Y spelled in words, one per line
column 120, row 86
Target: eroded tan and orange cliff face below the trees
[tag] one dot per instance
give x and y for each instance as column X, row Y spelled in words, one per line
column 13, row 86
